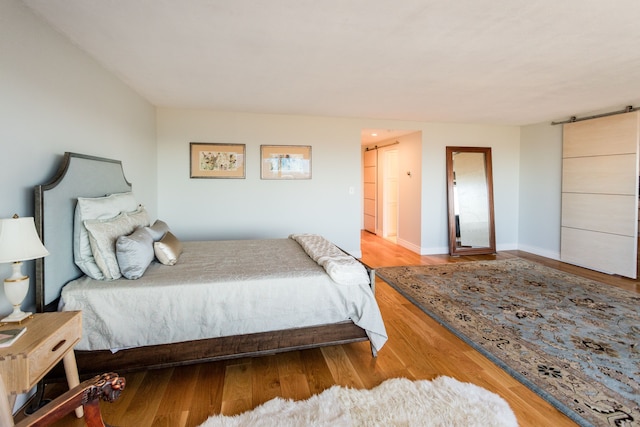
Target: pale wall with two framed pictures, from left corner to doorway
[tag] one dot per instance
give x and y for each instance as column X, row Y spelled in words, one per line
column 199, row 209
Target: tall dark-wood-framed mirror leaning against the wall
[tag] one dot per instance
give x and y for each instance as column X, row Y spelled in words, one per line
column 470, row 199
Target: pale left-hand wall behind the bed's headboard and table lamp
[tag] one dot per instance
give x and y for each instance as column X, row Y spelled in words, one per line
column 55, row 98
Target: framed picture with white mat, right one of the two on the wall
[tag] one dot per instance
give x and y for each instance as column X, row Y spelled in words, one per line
column 285, row 161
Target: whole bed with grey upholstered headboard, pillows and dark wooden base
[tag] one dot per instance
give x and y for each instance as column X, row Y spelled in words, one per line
column 139, row 323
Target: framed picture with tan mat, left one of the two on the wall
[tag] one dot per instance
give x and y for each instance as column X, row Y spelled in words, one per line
column 211, row 160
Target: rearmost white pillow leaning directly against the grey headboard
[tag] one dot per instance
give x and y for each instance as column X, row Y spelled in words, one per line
column 90, row 209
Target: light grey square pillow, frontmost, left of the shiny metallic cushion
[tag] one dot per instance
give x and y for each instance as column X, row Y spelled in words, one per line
column 134, row 253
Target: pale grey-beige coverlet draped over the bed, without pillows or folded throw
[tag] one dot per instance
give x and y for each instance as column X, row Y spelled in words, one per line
column 219, row 288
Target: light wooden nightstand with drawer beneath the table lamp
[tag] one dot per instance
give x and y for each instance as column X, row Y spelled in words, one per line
column 50, row 337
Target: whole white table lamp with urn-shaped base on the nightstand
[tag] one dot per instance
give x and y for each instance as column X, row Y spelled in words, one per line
column 19, row 242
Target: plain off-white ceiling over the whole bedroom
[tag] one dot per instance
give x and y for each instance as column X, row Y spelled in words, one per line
column 475, row 61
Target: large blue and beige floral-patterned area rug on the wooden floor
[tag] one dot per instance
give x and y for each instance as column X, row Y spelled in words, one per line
column 574, row 341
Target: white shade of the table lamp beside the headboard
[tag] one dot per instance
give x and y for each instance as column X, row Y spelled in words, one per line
column 19, row 240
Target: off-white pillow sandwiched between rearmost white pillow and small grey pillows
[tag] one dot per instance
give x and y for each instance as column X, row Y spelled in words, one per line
column 103, row 234
